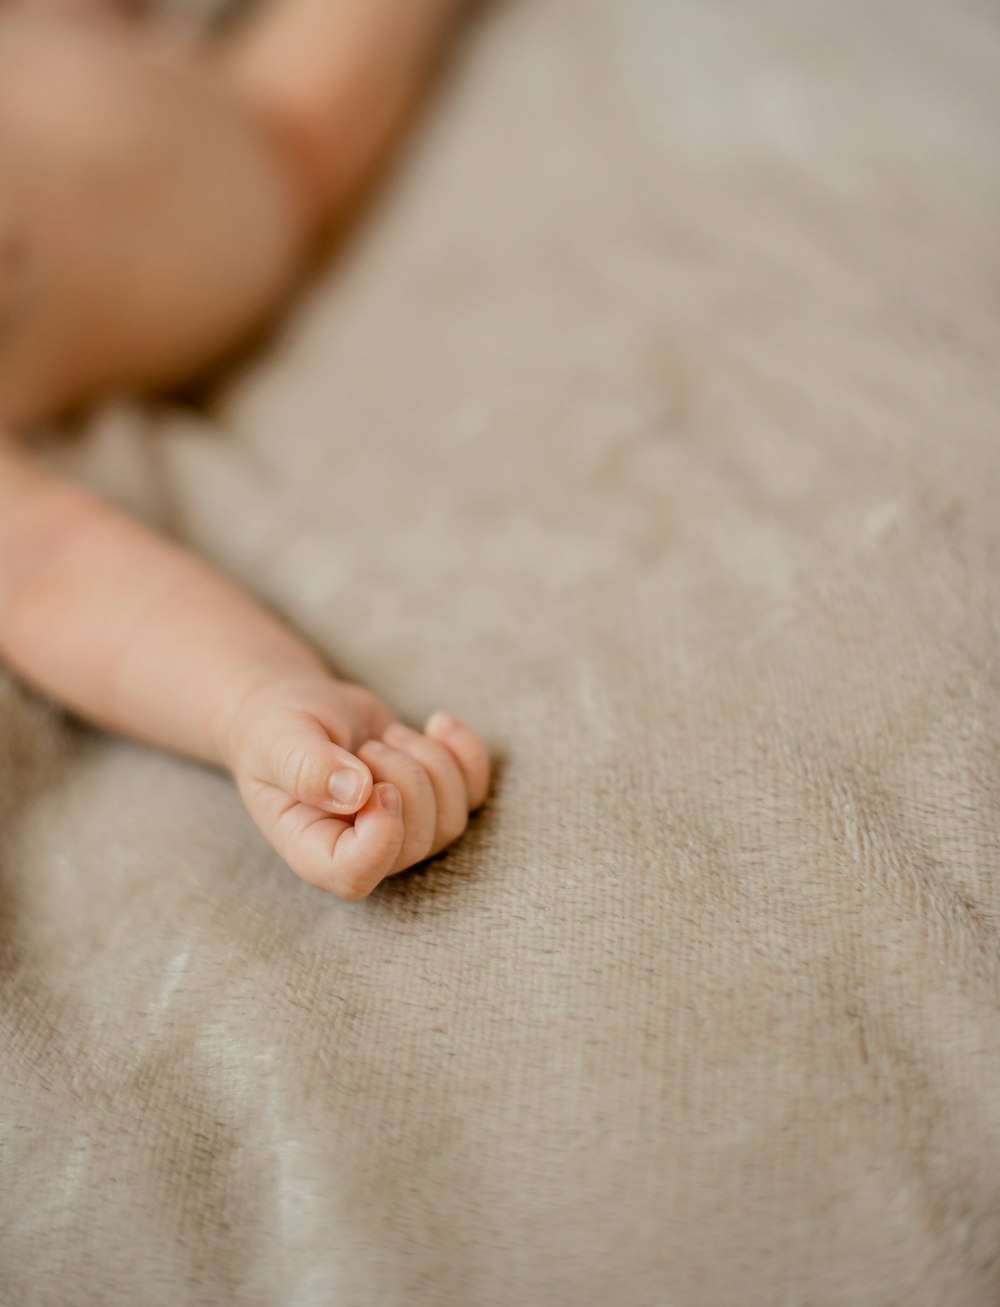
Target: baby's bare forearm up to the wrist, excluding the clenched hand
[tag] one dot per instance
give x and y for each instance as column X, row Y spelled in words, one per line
column 125, row 628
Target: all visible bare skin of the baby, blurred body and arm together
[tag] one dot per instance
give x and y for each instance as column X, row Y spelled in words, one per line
column 124, row 263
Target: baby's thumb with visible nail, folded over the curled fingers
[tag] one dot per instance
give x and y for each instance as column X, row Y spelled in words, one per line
column 299, row 757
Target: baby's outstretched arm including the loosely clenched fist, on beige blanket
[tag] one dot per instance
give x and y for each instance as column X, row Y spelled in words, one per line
column 143, row 638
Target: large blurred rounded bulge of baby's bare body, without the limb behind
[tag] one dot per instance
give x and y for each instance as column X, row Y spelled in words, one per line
column 154, row 225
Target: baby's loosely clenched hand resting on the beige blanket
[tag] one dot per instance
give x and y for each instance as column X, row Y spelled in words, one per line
column 344, row 791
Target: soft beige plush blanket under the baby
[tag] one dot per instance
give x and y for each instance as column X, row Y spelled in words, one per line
column 652, row 423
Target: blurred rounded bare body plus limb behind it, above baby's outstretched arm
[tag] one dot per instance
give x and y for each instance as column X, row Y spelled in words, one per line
column 164, row 201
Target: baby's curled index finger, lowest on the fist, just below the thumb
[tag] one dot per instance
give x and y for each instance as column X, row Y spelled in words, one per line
column 348, row 861
